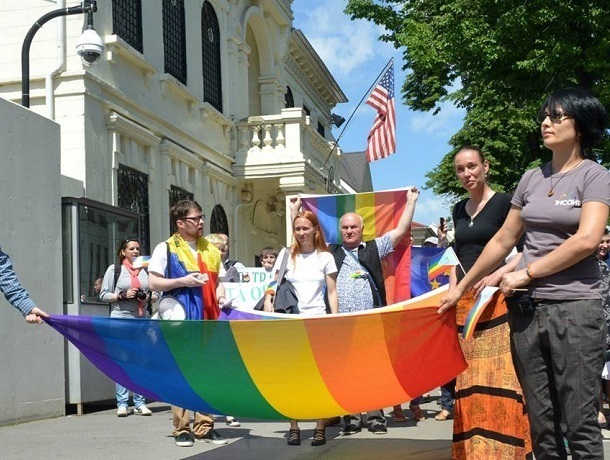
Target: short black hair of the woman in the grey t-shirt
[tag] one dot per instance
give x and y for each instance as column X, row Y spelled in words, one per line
column 586, row 110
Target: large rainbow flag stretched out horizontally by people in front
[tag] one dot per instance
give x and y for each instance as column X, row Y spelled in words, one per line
column 289, row 368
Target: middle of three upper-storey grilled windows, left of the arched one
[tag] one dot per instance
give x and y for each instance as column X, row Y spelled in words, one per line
column 174, row 39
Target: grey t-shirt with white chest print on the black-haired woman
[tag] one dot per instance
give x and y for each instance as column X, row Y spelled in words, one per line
column 551, row 220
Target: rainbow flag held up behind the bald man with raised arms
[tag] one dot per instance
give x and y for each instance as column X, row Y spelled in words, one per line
column 381, row 212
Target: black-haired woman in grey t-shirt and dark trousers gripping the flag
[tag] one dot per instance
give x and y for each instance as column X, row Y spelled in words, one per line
column 557, row 329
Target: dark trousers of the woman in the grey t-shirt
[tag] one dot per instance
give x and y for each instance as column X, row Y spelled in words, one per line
column 558, row 351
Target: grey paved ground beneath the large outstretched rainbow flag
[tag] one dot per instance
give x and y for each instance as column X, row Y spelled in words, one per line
column 102, row 435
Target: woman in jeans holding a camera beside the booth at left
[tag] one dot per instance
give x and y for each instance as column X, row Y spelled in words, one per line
column 128, row 295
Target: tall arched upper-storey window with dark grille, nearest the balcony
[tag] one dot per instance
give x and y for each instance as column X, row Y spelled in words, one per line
column 210, row 49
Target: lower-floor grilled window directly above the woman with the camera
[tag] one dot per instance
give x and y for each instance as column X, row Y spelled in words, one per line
column 133, row 195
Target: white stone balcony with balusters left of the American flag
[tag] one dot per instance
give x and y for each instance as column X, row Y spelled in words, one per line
column 283, row 145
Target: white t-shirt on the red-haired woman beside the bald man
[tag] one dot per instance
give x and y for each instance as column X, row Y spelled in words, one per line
column 308, row 276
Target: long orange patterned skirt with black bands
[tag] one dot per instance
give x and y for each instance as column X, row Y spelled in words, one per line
column 490, row 421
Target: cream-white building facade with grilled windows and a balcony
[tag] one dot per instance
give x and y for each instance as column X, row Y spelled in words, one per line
column 221, row 101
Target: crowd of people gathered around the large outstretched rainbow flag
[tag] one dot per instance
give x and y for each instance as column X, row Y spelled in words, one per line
column 540, row 348
